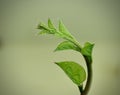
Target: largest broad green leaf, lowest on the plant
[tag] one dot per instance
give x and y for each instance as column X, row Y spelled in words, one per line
column 74, row 71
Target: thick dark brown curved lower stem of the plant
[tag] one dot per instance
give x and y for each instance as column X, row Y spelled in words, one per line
column 89, row 78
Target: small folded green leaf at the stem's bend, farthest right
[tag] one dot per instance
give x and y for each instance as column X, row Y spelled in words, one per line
column 87, row 49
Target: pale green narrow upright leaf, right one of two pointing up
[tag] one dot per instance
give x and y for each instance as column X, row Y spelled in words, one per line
column 64, row 30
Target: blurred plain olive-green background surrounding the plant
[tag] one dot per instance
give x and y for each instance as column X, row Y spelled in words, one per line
column 27, row 59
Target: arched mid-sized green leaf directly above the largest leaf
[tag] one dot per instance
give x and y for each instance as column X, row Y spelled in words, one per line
column 67, row 45
